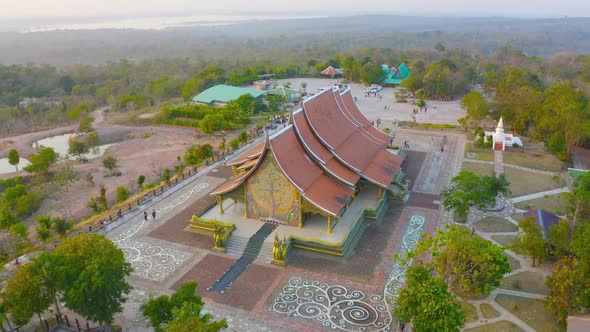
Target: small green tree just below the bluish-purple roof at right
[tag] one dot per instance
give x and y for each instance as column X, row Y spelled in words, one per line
column 531, row 243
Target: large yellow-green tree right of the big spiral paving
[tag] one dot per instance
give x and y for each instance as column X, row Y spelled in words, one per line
column 469, row 264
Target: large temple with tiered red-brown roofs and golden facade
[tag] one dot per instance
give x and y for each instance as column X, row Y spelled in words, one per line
column 327, row 171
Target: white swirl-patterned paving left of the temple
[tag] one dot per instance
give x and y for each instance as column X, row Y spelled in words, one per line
column 151, row 261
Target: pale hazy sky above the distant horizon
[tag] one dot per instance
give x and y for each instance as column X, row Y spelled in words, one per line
column 72, row 8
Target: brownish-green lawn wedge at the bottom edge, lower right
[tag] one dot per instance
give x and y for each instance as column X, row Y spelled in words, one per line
column 531, row 312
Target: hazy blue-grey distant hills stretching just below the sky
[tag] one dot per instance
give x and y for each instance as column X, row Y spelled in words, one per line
column 541, row 37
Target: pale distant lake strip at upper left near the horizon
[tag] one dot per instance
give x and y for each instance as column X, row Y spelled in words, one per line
column 160, row 23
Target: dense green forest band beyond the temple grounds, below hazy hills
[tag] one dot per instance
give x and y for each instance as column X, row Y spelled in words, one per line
column 540, row 97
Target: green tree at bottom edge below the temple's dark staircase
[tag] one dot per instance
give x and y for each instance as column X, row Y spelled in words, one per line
column 180, row 312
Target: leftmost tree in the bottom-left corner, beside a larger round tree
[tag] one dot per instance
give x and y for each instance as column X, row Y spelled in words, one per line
column 26, row 295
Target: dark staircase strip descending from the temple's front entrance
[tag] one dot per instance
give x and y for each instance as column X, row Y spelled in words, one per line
column 250, row 253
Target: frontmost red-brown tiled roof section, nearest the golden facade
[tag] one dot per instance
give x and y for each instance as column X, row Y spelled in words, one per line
column 318, row 188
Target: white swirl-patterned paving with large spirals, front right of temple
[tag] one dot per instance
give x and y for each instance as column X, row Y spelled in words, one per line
column 337, row 307
